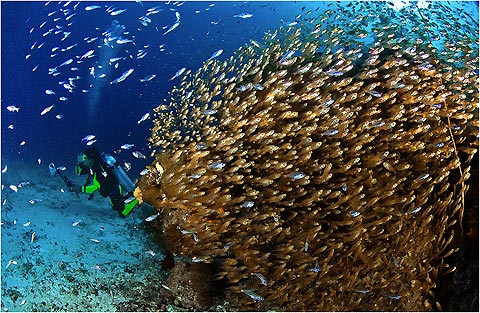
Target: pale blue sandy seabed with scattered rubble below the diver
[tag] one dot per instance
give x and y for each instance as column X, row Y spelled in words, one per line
column 83, row 257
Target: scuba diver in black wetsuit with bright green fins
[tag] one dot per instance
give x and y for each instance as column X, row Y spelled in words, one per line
column 105, row 175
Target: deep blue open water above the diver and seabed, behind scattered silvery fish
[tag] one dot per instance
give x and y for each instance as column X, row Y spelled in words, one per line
column 121, row 105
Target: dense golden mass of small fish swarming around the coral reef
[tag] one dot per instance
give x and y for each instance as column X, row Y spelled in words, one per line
column 323, row 169
